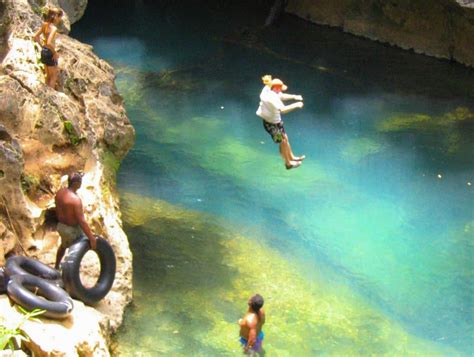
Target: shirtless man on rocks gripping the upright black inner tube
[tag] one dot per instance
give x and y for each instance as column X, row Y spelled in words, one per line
column 70, row 215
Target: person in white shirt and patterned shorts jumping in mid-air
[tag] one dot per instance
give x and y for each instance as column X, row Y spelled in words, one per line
column 270, row 109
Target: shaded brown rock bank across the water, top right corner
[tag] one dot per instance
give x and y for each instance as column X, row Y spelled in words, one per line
column 439, row 28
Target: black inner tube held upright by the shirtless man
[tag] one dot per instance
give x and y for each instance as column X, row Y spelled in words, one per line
column 71, row 271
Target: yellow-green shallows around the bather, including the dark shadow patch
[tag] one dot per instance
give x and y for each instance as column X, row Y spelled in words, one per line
column 196, row 274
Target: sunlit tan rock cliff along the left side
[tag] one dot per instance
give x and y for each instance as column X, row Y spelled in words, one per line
column 46, row 134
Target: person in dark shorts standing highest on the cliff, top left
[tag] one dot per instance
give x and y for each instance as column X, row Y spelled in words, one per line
column 49, row 56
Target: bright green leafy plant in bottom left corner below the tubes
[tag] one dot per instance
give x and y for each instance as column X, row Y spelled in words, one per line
column 11, row 337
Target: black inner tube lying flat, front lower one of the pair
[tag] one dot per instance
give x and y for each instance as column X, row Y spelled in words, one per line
column 57, row 303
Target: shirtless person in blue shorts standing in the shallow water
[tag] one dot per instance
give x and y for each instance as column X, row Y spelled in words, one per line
column 251, row 334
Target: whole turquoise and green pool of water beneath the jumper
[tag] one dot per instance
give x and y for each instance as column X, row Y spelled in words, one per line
column 376, row 225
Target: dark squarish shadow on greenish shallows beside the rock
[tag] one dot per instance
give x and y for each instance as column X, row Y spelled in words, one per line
column 170, row 250
